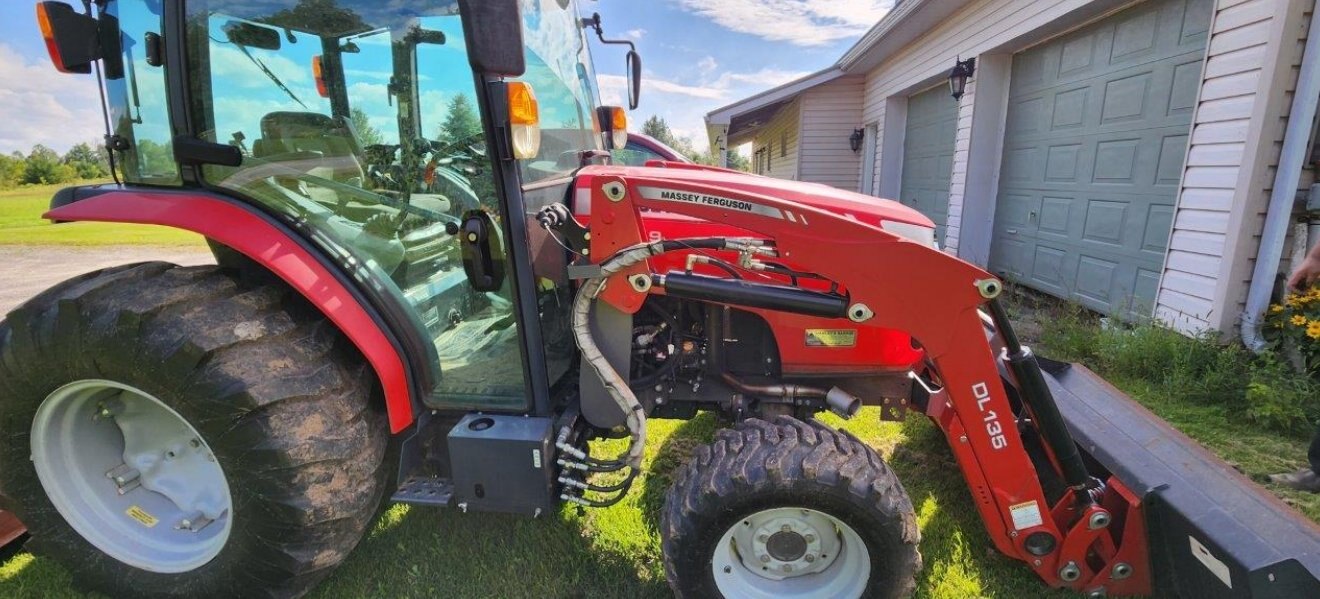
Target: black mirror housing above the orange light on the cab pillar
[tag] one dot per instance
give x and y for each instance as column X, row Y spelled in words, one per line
column 494, row 34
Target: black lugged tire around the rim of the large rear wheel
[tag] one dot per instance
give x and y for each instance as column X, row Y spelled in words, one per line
column 275, row 393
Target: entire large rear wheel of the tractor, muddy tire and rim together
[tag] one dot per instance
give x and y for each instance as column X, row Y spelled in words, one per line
column 267, row 390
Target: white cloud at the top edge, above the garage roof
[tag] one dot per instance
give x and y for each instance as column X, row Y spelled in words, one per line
column 803, row 23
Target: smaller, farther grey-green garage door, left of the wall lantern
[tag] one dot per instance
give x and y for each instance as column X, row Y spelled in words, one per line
column 929, row 155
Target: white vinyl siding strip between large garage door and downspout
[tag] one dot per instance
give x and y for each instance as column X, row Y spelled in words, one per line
column 1249, row 73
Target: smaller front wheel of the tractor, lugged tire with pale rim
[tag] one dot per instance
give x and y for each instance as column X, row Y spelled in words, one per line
column 789, row 510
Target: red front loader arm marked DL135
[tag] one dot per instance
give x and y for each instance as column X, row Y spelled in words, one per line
column 878, row 272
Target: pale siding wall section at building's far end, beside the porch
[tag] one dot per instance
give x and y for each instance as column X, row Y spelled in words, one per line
column 830, row 114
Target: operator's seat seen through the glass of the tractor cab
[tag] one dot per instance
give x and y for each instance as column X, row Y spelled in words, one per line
column 328, row 146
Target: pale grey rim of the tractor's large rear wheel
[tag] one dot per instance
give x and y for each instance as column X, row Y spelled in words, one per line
column 131, row 476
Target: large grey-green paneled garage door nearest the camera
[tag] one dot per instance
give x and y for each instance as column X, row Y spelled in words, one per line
column 1094, row 152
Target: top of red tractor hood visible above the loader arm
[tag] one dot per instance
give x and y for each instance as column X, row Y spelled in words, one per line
column 864, row 208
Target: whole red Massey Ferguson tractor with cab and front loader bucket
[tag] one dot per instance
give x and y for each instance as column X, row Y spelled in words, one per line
column 420, row 238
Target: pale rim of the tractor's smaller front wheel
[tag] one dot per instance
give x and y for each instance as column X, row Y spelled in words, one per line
column 791, row 552
